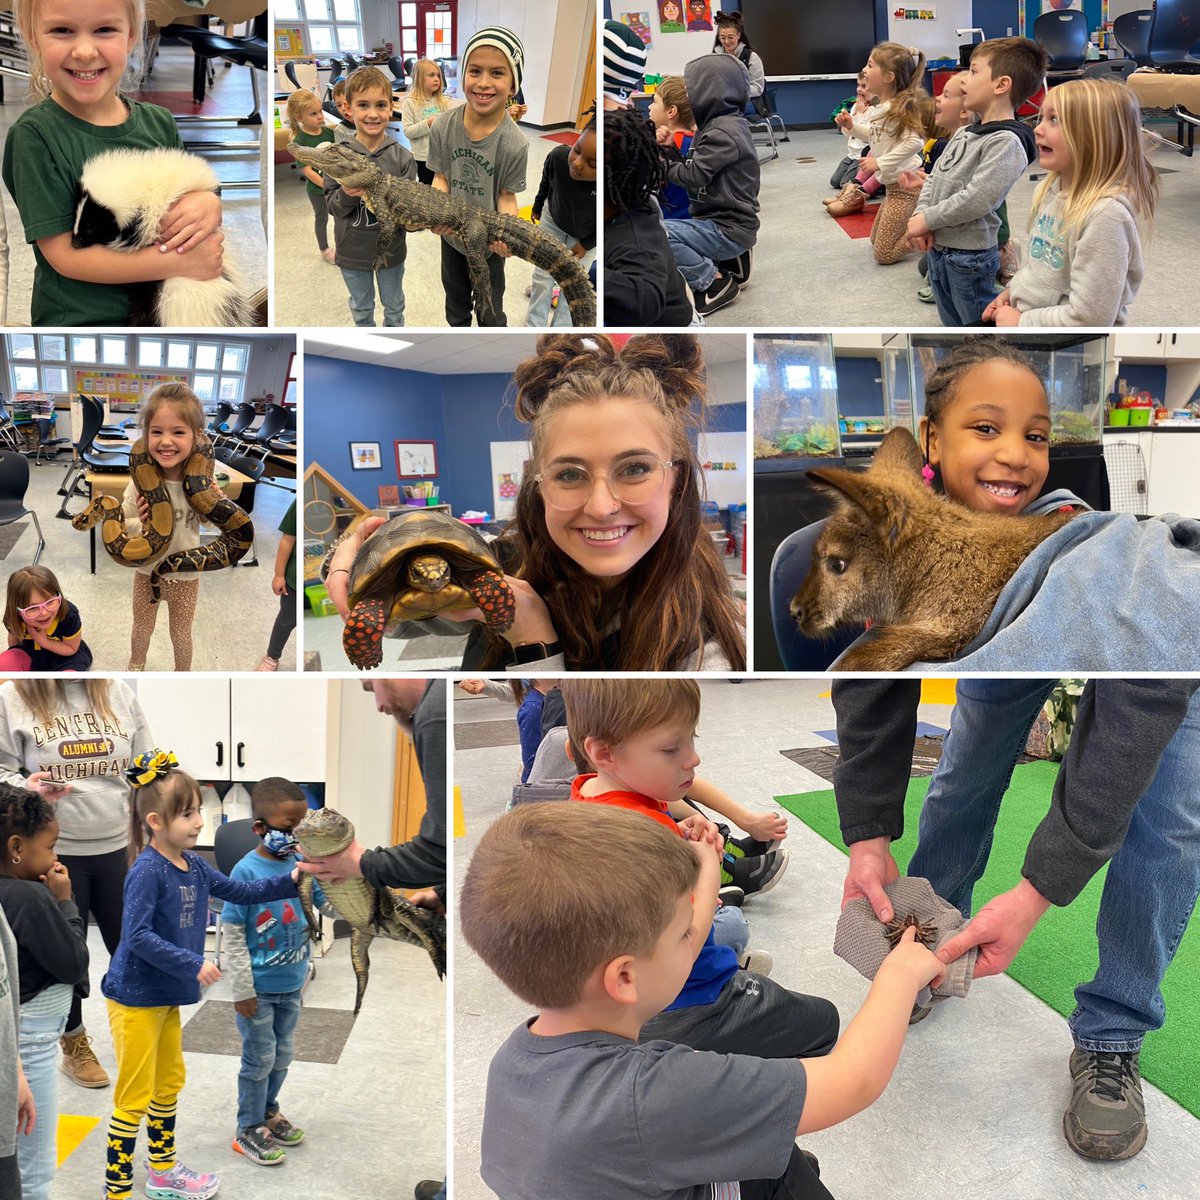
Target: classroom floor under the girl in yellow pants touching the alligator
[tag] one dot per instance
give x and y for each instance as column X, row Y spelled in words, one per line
column 370, row 1115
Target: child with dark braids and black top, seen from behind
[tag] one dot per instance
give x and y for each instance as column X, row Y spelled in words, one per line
column 641, row 284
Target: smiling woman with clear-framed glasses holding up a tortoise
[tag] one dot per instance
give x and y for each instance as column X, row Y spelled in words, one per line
column 608, row 554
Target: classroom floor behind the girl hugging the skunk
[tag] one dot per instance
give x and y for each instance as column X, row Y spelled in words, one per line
column 171, row 86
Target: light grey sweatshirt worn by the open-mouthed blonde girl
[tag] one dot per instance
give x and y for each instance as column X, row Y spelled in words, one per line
column 1084, row 277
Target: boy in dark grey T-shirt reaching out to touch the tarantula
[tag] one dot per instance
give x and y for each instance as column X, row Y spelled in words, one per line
column 596, row 916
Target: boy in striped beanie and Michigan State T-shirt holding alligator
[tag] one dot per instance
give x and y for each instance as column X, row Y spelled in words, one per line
column 478, row 154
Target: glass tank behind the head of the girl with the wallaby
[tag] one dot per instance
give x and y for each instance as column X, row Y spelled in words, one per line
column 1072, row 367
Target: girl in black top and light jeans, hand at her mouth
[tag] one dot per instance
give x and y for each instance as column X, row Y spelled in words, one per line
column 35, row 895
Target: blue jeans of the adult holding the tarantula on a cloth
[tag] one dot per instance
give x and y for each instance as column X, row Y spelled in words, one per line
column 1153, row 881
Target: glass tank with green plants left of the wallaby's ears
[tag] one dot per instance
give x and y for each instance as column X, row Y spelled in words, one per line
column 795, row 400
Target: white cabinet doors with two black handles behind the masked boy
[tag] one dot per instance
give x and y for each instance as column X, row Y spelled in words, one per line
column 241, row 730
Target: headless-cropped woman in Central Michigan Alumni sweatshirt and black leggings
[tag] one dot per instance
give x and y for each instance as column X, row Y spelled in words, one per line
column 70, row 740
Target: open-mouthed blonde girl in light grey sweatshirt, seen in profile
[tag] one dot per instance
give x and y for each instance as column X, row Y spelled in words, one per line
column 1084, row 262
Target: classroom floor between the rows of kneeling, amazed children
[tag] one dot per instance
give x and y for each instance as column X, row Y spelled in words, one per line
column 809, row 273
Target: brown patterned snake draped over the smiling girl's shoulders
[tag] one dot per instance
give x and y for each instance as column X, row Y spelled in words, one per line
column 203, row 495
